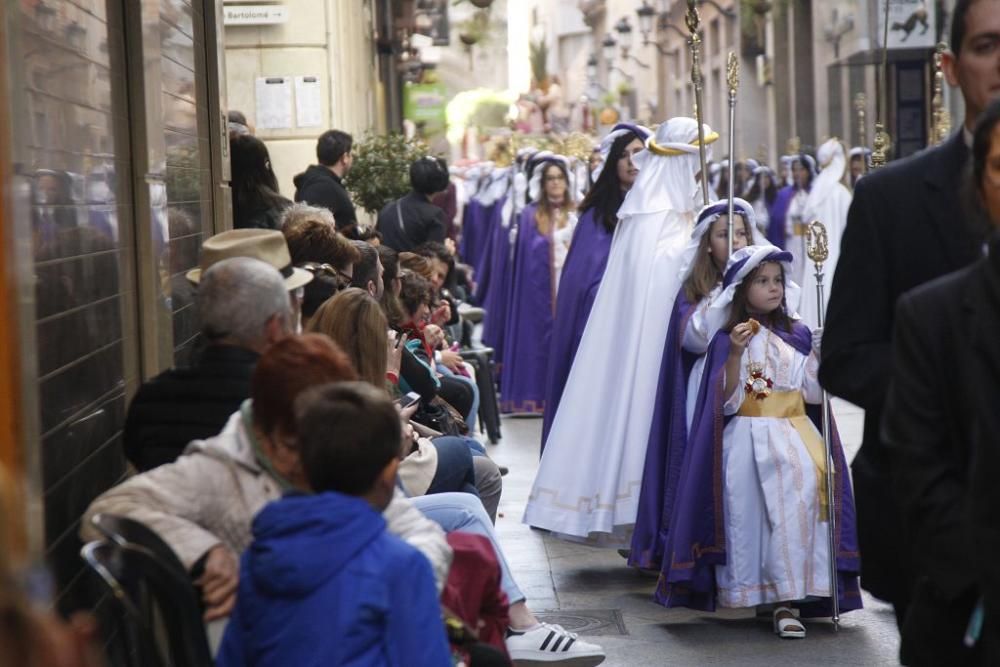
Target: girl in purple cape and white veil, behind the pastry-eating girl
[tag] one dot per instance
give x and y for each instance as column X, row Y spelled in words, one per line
column 680, row 372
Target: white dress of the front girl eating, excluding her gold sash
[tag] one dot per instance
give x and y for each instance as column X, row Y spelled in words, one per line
column 776, row 545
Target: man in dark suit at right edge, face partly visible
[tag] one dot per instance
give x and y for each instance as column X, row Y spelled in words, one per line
column 906, row 226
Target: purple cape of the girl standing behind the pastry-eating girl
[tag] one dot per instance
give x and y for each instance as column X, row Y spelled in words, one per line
column 666, row 445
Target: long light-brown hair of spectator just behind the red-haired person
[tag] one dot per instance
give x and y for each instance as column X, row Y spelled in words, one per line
column 356, row 323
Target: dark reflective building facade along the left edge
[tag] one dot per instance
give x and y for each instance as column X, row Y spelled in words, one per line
column 114, row 163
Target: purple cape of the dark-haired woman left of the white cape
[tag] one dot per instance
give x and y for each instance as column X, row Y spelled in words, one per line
column 581, row 276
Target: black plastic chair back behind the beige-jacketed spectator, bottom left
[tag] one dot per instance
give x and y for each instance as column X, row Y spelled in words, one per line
column 150, row 593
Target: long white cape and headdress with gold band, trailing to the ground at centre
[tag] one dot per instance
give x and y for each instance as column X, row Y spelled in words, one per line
column 589, row 478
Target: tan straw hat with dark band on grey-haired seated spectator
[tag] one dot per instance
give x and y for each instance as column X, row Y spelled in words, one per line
column 267, row 245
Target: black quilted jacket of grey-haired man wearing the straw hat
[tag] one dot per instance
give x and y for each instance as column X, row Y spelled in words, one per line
column 185, row 404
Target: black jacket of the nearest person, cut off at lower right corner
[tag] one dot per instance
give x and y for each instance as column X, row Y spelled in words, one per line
column 943, row 332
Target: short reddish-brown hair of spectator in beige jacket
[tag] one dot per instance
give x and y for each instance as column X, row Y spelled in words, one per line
column 288, row 368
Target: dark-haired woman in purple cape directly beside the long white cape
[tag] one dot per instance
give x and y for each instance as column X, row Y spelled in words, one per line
column 588, row 255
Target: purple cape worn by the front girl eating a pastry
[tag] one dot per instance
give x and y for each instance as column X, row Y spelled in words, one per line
column 696, row 542
